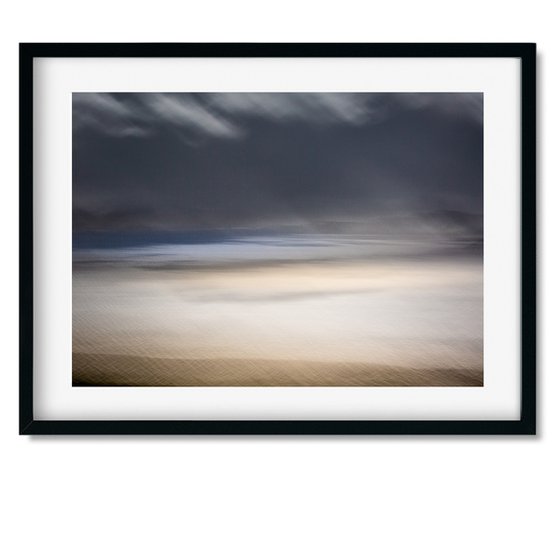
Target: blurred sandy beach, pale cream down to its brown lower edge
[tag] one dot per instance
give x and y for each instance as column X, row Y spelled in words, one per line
column 297, row 324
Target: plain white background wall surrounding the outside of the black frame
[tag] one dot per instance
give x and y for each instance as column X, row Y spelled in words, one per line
column 214, row 498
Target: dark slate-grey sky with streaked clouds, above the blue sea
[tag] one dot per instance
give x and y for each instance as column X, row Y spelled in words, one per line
column 158, row 161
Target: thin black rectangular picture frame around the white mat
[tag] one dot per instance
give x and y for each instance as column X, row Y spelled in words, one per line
column 526, row 424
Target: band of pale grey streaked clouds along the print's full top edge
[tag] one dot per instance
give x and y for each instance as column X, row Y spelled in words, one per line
column 218, row 114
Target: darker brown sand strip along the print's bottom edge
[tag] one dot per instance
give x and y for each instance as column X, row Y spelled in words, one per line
column 120, row 370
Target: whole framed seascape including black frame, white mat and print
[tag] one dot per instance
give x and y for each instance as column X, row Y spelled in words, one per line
column 277, row 238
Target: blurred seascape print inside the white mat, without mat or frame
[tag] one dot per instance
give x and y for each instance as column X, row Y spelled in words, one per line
column 277, row 239
